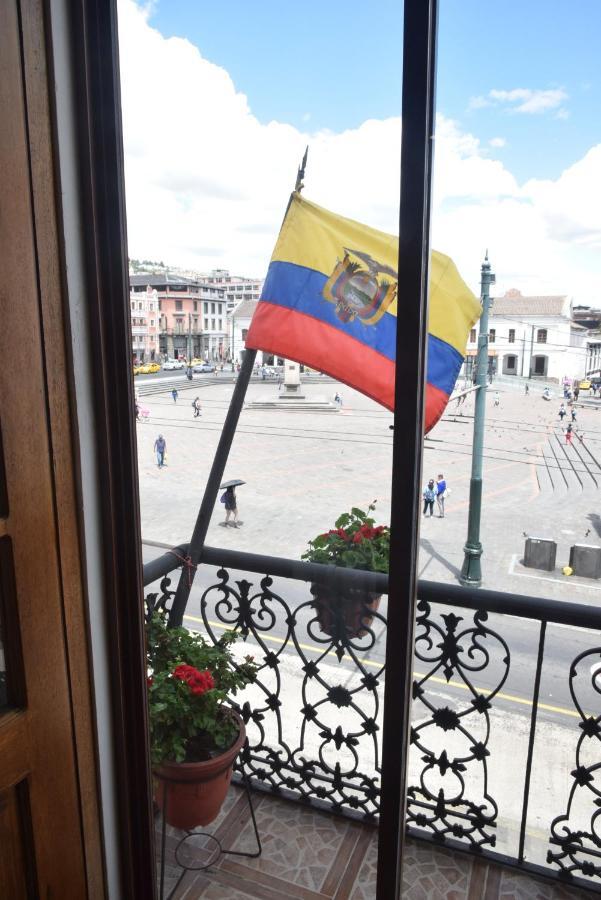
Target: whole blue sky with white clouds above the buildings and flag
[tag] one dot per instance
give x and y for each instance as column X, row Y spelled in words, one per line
column 219, row 101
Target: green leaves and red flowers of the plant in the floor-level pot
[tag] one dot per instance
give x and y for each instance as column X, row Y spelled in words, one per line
column 188, row 725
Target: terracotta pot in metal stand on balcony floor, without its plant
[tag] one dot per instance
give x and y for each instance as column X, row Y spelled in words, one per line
column 195, row 791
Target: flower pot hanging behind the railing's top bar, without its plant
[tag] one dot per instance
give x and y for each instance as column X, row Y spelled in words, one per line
column 344, row 608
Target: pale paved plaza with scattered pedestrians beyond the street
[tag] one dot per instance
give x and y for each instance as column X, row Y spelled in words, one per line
column 303, row 468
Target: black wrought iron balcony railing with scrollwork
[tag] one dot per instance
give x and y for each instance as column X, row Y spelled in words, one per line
column 314, row 715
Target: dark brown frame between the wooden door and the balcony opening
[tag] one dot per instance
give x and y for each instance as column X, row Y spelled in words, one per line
column 94, row 65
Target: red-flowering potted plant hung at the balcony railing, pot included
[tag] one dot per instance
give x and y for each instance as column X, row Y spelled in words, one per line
column 355, row 542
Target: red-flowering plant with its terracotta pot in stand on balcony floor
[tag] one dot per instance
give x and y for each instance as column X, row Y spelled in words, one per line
column 195, row 735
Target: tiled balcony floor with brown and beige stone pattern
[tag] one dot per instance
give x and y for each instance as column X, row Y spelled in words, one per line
column 314, row 856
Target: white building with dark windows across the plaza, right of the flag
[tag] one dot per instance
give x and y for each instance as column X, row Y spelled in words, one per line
column 533, row 336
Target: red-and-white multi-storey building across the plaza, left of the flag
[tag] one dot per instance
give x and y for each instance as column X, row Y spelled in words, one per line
column 192, row 316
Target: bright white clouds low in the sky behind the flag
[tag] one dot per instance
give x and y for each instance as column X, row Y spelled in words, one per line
column 207, row 183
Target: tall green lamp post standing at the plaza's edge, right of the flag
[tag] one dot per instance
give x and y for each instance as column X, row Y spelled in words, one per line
column 471, row 572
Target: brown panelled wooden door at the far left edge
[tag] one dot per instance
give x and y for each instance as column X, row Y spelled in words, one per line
column 49, row 819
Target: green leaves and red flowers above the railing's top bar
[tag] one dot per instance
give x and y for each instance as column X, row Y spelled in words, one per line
column 355, row 542
